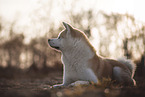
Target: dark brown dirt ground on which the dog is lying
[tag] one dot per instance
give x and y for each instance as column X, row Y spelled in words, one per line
column 41, row 87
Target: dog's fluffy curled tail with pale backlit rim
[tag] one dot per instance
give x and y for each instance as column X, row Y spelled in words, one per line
column 131, row 66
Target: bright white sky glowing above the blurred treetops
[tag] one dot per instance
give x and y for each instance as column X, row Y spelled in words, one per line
column 10, row 8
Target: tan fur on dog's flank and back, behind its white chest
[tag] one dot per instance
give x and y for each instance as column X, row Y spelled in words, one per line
column 103, row 68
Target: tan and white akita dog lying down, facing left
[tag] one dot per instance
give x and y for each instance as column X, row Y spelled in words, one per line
column 81, row 63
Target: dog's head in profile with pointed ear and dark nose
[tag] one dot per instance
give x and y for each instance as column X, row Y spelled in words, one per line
column 67, row 39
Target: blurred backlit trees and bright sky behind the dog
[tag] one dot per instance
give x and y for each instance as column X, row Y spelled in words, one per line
column 116, row 28
